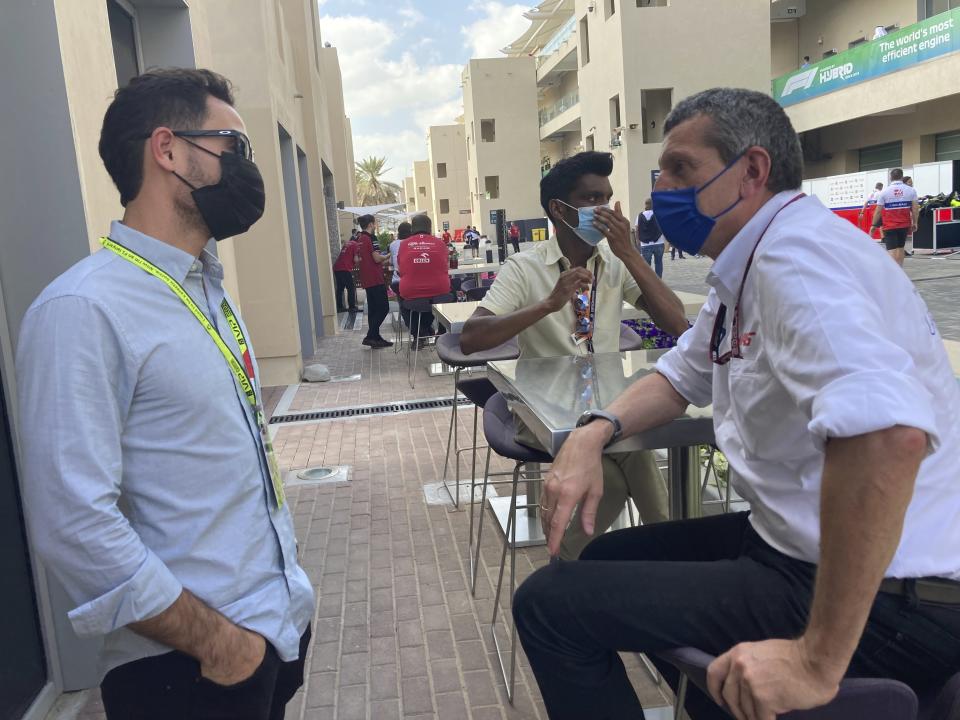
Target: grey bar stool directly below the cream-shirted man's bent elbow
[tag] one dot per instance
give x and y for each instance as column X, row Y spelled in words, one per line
column 449, row 352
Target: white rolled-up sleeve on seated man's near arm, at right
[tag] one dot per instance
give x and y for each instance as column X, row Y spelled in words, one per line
column 832, row 350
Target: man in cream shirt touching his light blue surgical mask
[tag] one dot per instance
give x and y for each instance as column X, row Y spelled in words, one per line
column 533, row 298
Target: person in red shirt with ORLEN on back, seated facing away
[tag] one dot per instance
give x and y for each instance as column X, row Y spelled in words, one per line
column 424, row 271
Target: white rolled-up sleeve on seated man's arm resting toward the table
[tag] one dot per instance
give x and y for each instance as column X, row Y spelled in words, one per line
column 687, row 366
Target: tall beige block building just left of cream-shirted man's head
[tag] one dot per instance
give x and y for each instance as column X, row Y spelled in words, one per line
column 500, row 120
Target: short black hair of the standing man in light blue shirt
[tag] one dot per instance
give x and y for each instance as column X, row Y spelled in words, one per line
column 171, row 97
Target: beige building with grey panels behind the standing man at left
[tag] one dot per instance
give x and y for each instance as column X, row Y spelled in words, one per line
column 60, row 200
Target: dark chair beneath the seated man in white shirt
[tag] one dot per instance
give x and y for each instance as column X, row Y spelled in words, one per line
column 877, row 699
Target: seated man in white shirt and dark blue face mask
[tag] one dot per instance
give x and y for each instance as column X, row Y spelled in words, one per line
column 836, row 406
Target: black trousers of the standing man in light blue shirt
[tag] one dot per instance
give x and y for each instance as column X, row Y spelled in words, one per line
column 169, row 686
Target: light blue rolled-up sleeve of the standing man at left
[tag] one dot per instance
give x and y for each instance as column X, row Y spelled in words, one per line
column 76, row 378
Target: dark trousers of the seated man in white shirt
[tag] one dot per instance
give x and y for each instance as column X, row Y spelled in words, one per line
column 710, row 584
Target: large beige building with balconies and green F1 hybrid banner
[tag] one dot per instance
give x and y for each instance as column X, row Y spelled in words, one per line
column 609, row 71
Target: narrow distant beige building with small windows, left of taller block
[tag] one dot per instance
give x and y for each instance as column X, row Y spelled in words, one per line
column 447, row 155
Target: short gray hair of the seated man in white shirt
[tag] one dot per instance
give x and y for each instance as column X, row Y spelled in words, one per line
column 741, row 119
